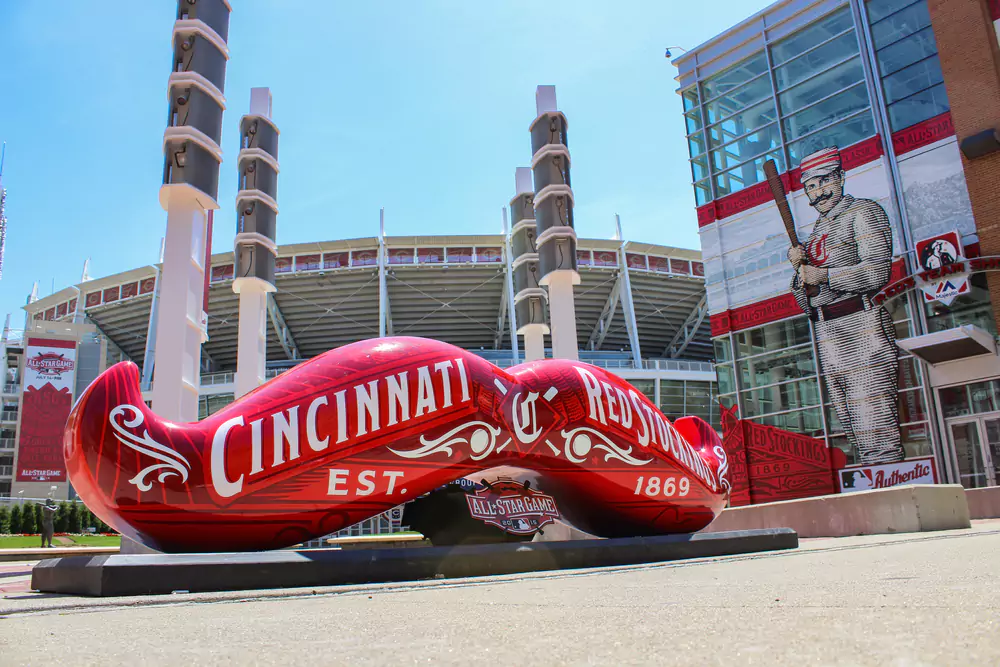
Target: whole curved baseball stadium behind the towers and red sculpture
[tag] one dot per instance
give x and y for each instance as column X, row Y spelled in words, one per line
column 640, row 312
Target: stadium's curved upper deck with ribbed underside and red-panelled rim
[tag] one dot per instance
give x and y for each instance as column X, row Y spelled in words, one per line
column 447, row 287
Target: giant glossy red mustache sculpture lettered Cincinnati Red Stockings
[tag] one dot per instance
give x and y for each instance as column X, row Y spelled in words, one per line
column 366, row 427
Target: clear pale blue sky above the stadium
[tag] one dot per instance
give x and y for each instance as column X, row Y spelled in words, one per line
column 420, row 107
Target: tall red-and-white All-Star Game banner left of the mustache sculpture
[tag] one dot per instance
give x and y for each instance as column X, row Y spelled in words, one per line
column 49, row 377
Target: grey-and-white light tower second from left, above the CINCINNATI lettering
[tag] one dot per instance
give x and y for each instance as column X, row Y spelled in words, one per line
column 256, row 221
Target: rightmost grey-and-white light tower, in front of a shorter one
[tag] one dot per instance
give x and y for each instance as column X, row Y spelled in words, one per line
column 554, row 220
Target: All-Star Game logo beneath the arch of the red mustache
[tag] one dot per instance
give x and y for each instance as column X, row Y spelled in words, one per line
column 513, row 507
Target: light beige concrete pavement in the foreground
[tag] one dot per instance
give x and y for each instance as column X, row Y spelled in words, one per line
column 914, row 599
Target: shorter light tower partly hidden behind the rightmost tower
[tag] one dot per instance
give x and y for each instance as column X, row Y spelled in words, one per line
column 530, row 299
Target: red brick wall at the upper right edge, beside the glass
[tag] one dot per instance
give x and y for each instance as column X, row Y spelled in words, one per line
column 967, row 44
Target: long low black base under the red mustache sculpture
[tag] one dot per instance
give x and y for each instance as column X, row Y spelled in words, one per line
column 119, row 575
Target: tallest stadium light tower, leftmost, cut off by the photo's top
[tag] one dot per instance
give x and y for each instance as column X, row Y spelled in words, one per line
column 190, row 188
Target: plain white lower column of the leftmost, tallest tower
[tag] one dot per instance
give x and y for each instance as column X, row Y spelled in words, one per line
column 181, row 327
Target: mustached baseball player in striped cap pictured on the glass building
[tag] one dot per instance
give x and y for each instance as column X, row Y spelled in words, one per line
column 846, row 260
